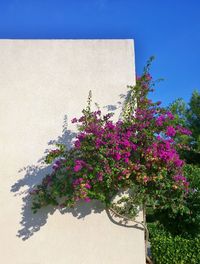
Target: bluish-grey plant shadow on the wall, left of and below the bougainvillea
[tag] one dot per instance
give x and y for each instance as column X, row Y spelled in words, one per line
column 33, row 174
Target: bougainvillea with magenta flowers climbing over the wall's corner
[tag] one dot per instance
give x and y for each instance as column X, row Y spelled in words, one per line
column 137, row 153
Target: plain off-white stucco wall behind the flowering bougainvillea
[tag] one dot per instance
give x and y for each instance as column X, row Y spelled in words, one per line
column 41, row 83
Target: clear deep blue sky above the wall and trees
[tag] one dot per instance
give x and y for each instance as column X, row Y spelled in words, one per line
column 170, row 30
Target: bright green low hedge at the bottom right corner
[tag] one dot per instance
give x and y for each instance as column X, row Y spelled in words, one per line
column 166, row 249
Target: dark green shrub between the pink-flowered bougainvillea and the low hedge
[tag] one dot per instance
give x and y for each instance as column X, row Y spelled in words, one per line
column 184, row 222
